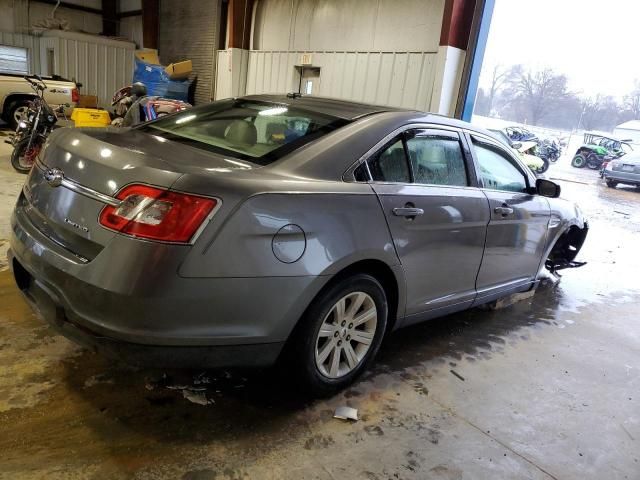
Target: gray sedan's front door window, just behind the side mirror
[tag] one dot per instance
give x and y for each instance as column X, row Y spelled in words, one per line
column 497, row 170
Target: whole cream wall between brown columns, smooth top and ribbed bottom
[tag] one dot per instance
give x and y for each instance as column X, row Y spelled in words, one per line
column 375, row 51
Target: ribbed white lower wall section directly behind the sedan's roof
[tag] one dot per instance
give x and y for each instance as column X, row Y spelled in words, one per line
column 403, row 79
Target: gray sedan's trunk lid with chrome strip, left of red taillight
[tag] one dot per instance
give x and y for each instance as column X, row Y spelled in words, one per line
column 100, row 162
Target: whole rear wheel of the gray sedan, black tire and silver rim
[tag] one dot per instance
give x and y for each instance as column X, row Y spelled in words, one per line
column 339, row 334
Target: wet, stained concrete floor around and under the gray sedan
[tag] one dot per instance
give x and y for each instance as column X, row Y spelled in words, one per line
column 547, row 388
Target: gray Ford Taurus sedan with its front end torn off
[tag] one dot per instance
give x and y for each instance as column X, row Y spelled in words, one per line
column 268, row 227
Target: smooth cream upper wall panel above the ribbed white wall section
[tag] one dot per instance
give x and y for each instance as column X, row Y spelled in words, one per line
column 348, row 25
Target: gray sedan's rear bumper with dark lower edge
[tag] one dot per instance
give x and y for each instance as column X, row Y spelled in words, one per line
column 157, row 317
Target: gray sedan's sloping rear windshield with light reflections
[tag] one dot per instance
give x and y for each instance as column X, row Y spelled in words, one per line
column 260, row 132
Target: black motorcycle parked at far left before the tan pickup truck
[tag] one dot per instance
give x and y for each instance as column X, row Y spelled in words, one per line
column 33, row 129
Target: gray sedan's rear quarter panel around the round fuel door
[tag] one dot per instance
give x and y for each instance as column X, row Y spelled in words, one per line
column 339, row 228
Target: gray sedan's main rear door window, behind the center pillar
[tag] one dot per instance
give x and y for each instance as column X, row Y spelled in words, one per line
column 436, row 158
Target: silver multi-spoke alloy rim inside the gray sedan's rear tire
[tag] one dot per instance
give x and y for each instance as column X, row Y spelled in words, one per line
column 346, row 335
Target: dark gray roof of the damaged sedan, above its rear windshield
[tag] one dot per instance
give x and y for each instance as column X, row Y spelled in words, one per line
column 334, row 107
